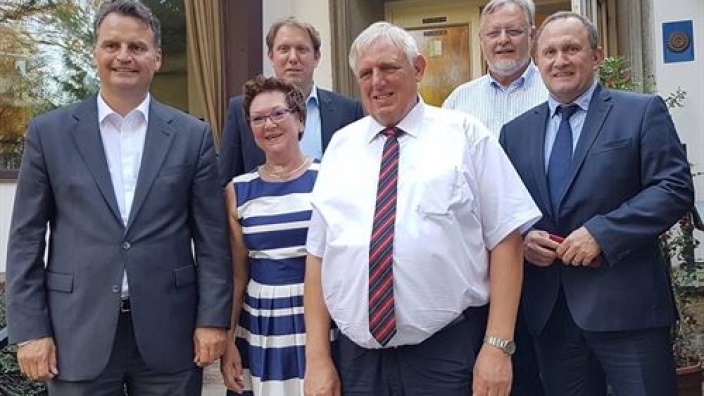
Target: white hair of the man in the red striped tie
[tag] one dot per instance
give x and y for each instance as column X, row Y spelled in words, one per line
column 383, row 31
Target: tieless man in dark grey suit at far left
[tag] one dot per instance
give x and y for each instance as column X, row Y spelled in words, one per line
column 137, row 285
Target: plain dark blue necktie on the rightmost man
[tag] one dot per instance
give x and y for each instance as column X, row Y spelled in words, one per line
column 561, row 156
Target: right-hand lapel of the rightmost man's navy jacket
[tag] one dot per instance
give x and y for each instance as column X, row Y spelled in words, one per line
column 599, row 108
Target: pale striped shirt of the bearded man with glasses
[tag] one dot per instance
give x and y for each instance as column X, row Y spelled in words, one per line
column 495, row 105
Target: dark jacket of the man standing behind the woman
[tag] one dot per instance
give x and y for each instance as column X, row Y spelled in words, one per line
column 238, row 151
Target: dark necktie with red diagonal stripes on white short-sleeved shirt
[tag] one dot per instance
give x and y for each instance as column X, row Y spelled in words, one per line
column 382, row 316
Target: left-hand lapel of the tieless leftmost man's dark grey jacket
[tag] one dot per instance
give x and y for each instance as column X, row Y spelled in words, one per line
column 86, row 136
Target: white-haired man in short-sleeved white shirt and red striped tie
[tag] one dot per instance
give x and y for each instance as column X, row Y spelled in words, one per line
column 407, row 275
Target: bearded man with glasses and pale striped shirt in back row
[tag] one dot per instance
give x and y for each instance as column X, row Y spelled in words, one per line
column 511, row 87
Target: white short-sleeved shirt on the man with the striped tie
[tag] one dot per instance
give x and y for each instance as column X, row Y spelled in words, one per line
column 458, row 197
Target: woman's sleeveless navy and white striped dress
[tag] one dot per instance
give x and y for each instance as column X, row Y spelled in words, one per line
column 271, row 337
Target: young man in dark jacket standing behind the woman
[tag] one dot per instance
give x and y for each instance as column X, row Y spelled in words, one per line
column 294, row 51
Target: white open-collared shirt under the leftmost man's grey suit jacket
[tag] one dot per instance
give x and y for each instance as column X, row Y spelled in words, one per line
column 123, row 141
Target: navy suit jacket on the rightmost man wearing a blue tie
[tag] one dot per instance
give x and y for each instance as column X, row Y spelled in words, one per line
column 629, row 181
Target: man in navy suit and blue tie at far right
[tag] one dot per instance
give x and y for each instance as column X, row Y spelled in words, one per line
column 610, row 175
